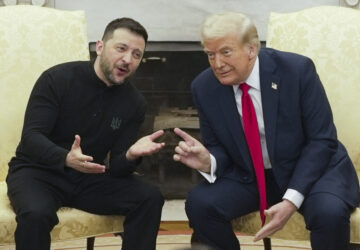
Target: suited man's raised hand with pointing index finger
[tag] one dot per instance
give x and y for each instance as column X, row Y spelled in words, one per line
column 192, row 153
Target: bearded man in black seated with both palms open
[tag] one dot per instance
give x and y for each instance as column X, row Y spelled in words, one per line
column 79, row 116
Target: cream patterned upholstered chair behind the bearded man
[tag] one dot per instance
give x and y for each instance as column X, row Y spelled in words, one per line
column 33, row 39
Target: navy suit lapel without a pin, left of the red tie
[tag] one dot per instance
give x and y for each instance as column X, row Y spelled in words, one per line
column 232, row 120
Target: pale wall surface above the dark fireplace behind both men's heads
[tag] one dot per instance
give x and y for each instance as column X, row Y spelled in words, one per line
column 179, row 20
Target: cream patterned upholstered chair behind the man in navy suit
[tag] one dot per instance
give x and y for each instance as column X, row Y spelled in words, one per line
column 330, row 36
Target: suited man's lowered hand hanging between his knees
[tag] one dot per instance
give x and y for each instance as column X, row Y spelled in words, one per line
column 280, row 214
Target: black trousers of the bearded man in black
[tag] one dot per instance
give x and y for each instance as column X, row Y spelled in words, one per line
column 37, row 194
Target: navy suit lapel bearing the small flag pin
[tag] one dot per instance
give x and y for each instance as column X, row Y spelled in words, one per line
column 270, row 87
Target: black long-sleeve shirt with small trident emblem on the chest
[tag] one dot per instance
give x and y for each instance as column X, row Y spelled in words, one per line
column 70, row 99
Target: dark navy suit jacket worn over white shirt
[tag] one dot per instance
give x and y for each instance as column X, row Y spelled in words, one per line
column 302, row 143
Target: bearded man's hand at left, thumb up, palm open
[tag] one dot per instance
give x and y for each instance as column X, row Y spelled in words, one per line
column 77, row 160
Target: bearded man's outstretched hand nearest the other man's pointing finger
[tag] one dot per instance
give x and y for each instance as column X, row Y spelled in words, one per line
column 145, row 146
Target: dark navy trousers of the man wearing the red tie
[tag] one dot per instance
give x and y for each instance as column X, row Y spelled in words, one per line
column 211, row 207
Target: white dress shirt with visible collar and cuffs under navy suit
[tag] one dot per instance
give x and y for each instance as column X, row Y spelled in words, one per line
column 254, row 82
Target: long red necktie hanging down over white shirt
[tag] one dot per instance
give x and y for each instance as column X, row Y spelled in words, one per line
column 252, row 135
